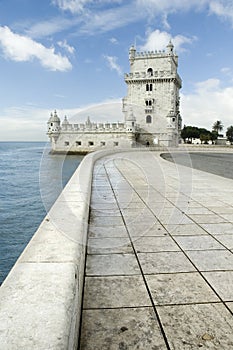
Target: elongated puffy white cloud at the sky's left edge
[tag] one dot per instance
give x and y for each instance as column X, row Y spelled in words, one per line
column 22, row 49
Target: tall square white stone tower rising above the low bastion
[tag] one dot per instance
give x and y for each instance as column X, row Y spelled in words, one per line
column 153, row 96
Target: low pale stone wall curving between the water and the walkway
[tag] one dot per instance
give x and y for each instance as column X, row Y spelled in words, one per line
column 40, row 300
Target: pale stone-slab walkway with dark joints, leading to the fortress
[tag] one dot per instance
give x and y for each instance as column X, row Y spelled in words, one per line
column 159, row 270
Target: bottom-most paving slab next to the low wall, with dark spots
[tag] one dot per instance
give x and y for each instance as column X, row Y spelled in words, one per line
column 129, row 328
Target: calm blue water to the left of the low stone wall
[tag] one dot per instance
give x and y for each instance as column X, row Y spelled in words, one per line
column 30, row 182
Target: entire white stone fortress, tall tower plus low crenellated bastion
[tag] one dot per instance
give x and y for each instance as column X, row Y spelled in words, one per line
column 151, row 110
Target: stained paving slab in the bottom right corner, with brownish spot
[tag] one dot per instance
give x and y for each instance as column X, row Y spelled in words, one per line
column 197, row 326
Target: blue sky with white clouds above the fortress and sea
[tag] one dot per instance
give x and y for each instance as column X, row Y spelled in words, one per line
column 71, row 55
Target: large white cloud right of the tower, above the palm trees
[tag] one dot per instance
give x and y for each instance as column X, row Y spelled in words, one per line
column 207, row 104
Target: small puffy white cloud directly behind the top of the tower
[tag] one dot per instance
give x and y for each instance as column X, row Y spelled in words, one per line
column 158, row 40
